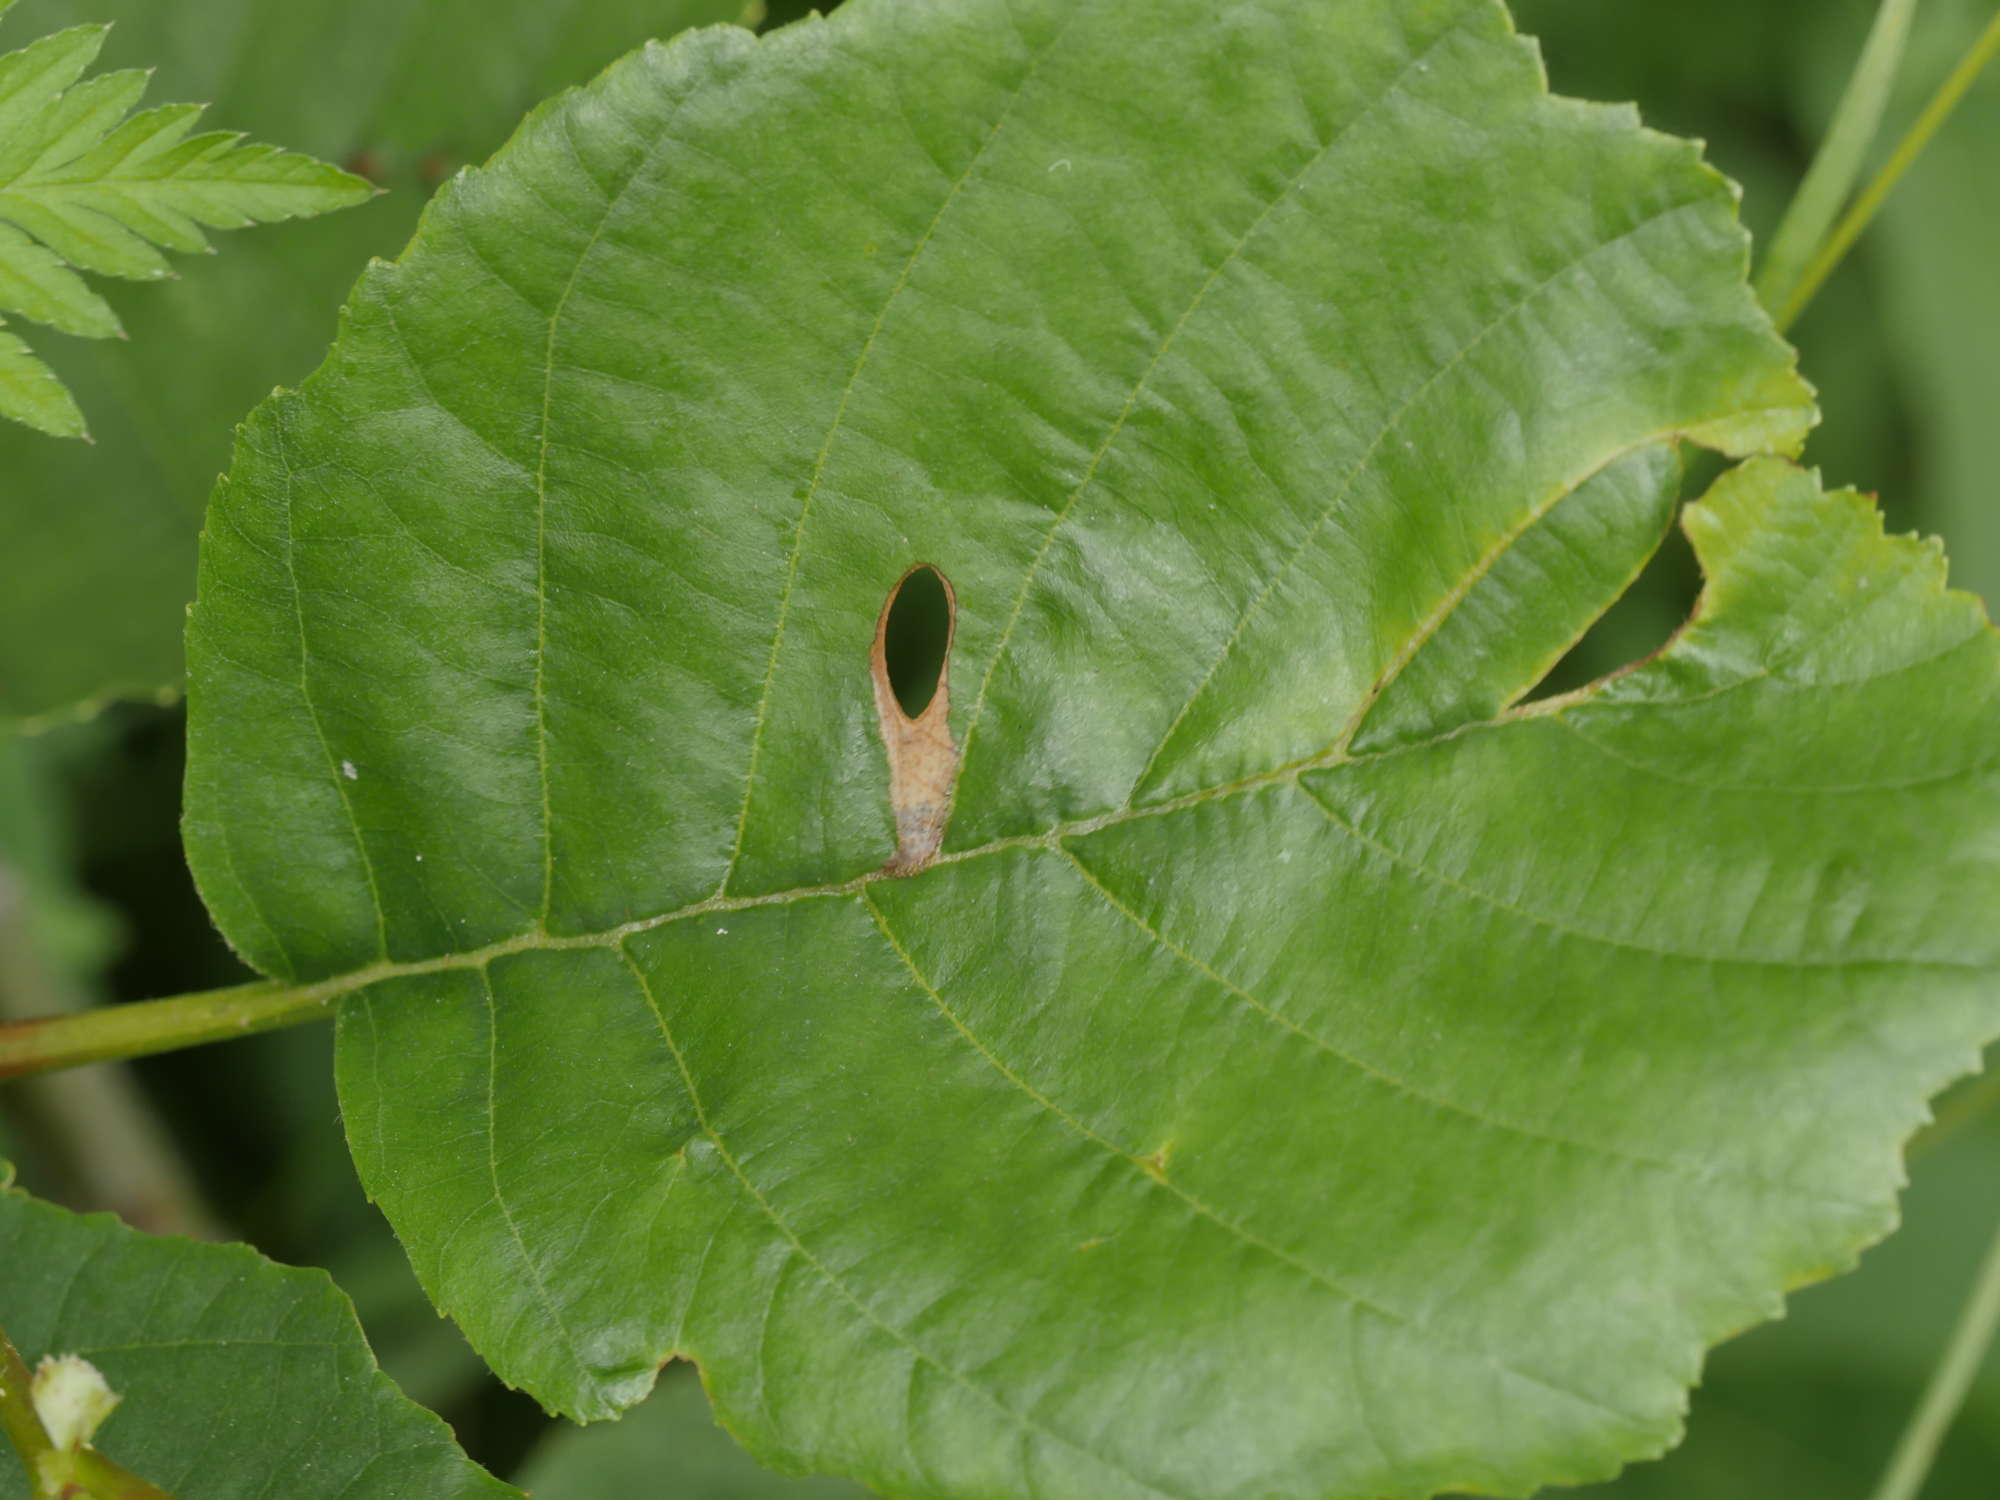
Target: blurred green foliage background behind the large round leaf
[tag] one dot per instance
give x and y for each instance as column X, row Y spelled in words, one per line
column 245, row 1141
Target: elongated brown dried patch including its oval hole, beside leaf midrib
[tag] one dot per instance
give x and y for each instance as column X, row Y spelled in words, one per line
column 911, row 667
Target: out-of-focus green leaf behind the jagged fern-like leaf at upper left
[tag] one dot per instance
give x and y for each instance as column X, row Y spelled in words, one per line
column 97, row 545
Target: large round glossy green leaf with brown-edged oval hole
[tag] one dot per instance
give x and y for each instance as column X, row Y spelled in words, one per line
column 1299, row 1075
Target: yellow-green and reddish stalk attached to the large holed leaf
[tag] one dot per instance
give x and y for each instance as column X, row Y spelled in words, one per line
column 147, row 1027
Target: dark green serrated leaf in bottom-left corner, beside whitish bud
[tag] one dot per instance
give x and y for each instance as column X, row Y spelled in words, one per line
column 239, row 1379
